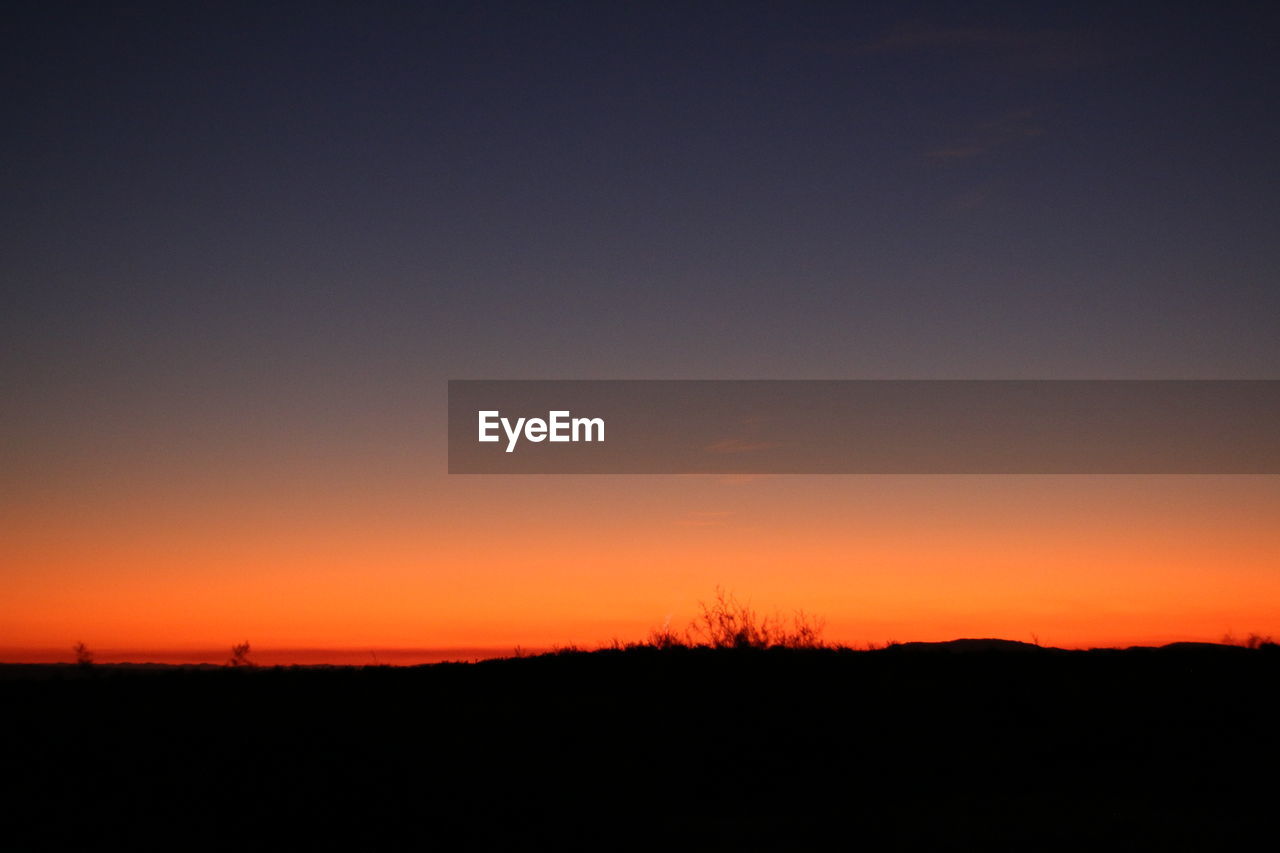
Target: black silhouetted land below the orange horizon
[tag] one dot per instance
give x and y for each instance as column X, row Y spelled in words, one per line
column 999, row 745
